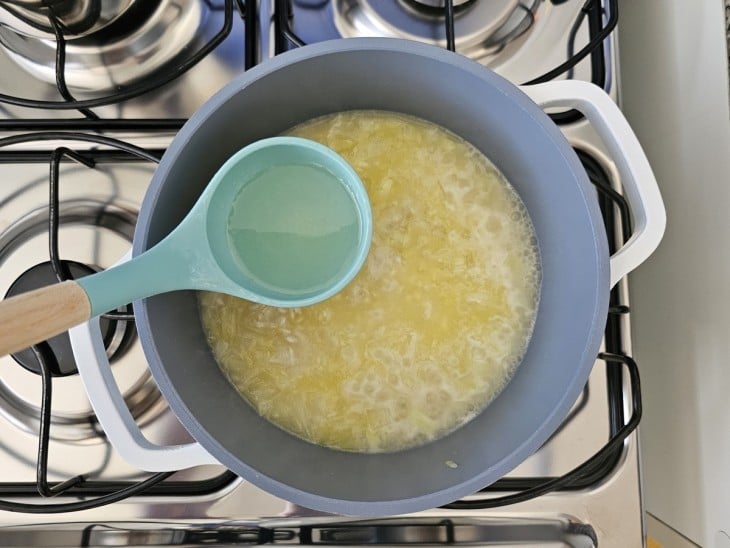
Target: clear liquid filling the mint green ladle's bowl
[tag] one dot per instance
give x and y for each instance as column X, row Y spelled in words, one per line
column 294, row 229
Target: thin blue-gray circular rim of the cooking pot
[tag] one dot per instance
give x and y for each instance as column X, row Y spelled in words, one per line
column 522, row 450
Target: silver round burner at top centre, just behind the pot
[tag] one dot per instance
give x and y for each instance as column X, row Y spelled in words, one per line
column 480, row 28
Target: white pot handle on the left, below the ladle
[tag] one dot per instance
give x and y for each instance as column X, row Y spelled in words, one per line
column 113, row 414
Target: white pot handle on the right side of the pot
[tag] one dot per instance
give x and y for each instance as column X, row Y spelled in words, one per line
column 637, row 178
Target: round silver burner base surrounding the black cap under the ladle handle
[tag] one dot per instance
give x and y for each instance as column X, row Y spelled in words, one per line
column 87, row 227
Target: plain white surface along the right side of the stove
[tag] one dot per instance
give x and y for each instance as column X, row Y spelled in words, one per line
column 674, row 71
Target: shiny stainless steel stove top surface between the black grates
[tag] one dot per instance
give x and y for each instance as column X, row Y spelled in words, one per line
column 98, row 207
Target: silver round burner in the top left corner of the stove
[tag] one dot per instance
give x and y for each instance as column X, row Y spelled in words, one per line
column 146, row 37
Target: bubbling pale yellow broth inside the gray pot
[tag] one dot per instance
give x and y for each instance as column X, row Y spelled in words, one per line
column 431, row 328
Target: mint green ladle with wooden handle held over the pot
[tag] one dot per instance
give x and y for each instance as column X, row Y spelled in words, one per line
column 284, row 222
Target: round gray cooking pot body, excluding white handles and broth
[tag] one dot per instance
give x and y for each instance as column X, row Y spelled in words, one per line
column 525, row 145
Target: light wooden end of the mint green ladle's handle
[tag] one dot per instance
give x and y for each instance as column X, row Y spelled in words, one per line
column 38, row 315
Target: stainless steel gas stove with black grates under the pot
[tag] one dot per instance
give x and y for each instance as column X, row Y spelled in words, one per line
column 85, row 116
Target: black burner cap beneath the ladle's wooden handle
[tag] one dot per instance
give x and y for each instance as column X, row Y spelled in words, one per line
column 118, row 335
